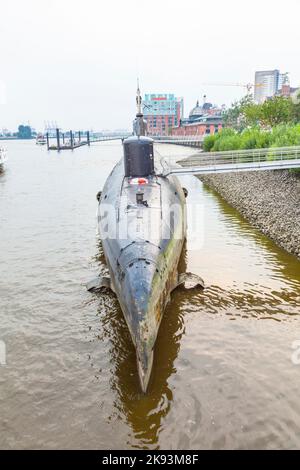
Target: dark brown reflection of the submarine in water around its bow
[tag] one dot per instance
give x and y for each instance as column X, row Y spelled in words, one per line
column 143, row 413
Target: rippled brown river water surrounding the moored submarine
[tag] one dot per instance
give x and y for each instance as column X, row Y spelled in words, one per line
column 225, row 372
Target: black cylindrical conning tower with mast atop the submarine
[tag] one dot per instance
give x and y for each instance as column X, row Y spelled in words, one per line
column 138, row 149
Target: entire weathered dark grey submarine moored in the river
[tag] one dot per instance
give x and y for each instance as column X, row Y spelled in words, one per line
column 142, row 225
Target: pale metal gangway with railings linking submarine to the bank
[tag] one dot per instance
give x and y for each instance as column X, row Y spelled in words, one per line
column 239, row 160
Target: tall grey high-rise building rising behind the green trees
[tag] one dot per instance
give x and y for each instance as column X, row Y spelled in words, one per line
column 267, row 84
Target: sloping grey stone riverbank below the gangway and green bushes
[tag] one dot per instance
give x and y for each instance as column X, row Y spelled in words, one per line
column 269, row 200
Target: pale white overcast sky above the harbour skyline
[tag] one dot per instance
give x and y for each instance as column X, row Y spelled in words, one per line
column 76, row 62
